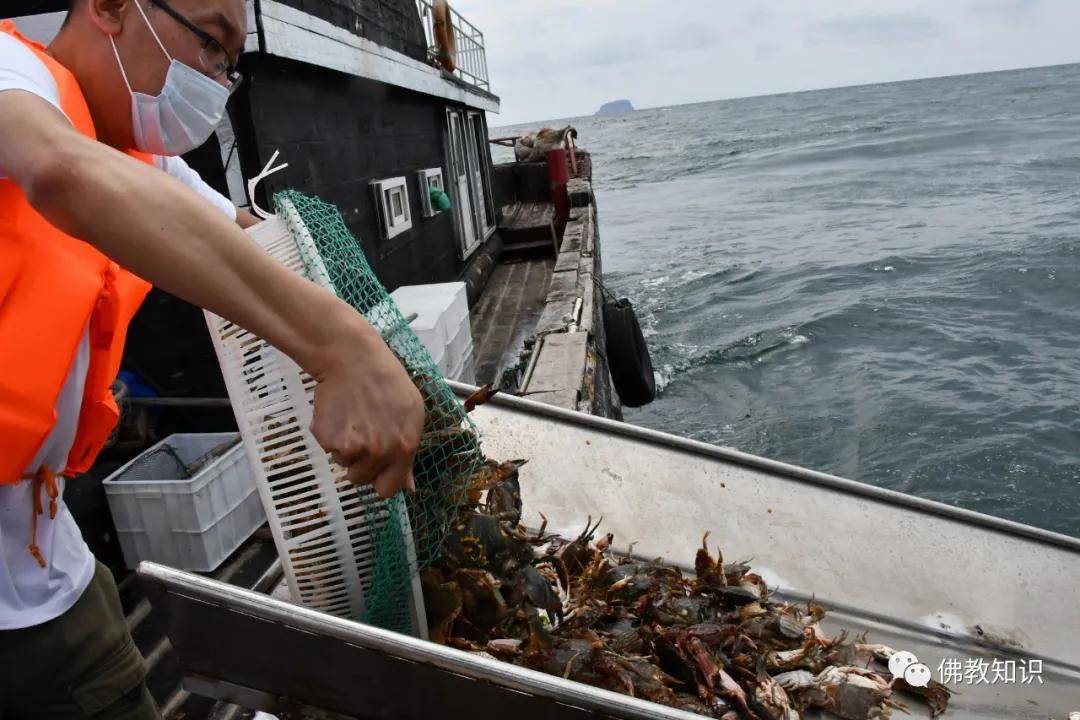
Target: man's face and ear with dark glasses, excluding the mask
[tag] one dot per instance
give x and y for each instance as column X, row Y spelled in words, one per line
column 222, row 31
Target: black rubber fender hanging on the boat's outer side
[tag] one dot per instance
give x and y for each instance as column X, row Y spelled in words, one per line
column 628, row 355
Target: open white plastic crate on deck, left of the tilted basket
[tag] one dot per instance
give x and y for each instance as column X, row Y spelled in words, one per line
column 192, row 524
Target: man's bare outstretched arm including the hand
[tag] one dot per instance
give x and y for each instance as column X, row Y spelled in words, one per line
column 368, row 412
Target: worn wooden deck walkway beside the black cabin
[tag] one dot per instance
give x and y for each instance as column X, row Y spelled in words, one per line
column 508, row 313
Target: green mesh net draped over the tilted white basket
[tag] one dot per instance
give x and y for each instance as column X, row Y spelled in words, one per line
column 450, row 453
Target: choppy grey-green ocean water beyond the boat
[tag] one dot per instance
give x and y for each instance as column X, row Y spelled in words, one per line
column 879, row 282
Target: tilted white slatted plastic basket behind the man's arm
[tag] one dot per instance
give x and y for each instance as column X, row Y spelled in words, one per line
column 322, row 525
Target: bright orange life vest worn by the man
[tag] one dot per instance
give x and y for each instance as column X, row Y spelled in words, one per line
column 51, row 287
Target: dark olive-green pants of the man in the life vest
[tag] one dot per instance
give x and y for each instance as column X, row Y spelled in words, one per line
column 80, row 665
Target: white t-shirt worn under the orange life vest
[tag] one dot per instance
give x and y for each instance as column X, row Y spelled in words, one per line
column 31, row 595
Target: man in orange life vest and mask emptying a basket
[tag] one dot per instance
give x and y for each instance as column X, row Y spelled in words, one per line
column 87, row 126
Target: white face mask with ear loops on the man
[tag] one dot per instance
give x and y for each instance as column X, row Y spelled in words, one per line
column 183, row 116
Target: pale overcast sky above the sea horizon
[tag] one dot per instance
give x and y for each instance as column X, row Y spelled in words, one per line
column 558, row 59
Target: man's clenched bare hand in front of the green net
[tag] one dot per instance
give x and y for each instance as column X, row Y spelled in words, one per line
column 369, row 414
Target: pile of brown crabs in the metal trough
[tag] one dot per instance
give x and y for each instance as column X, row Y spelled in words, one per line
column 715, row 644
